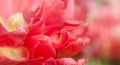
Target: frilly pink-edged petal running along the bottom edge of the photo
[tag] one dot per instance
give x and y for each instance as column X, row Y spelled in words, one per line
column 64, row 61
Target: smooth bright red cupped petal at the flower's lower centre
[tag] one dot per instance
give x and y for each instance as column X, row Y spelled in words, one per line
column 40, row 46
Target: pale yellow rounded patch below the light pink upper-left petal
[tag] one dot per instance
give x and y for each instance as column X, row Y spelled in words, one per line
column 16, row 22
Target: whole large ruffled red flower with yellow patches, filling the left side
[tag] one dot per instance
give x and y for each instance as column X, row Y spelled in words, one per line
column 42, row 32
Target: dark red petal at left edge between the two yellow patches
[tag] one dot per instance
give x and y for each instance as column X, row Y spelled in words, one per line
column 12, row 39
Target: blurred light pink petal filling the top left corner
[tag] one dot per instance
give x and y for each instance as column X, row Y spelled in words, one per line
column 9, row 7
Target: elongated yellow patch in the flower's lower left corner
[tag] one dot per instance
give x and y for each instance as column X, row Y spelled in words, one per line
column 13, row 53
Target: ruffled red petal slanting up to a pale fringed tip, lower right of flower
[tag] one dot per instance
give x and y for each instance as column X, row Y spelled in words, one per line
column 73, row 47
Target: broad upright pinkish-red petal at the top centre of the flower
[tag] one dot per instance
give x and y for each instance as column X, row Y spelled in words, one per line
column 49, row 13
